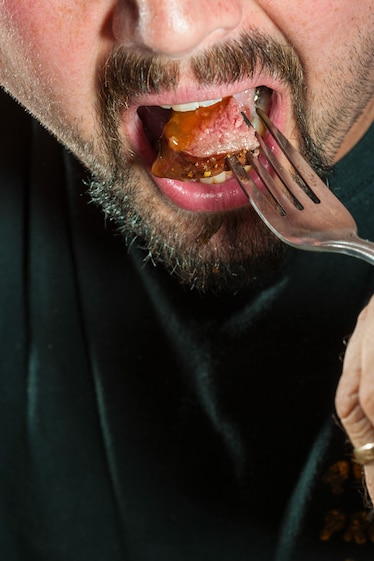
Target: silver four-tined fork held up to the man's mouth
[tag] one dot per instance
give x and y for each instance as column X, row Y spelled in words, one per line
column 304, row 213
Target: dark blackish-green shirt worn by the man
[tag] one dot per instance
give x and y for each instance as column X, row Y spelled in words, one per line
column 143, row 422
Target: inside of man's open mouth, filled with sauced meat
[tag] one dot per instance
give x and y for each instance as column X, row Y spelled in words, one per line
column 192, row 141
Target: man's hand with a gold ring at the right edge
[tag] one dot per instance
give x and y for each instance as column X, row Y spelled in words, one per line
column 355, row 392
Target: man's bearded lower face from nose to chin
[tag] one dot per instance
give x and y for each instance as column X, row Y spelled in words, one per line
column 96, row 73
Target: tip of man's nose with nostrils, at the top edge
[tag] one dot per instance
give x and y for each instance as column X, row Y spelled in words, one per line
column 174, row 27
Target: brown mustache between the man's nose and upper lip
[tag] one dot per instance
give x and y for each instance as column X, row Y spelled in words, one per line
column 127, row 74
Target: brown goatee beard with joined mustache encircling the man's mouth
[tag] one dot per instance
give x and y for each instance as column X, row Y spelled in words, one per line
column 220, row 252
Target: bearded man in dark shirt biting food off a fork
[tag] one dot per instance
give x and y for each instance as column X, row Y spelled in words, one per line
column 169, row 374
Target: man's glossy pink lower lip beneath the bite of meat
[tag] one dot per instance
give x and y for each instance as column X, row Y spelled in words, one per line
column 202, row 197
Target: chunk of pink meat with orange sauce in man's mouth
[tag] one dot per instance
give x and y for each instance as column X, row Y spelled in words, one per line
column 194, row 144
